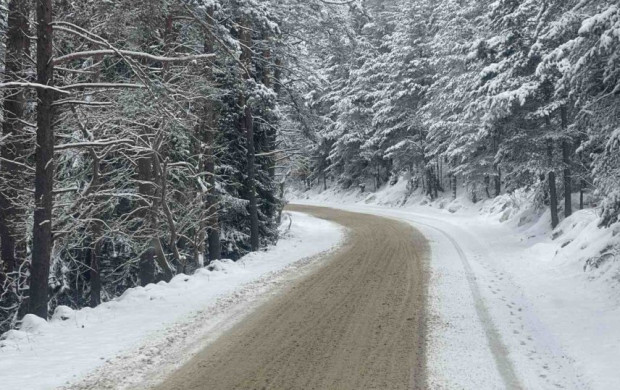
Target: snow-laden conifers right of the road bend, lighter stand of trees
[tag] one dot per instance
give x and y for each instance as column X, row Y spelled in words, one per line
column 482, row 96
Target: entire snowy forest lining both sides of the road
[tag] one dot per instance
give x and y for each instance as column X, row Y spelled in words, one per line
column 144, row 138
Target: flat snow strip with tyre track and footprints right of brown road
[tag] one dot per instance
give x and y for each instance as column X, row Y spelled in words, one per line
column 492, row 323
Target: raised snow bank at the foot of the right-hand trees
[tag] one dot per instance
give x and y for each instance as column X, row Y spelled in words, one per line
column 578, row 240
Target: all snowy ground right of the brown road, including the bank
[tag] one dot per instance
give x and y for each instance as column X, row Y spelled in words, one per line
column 513, row 304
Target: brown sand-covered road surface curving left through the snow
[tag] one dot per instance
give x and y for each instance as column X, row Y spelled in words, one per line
column 355, row 322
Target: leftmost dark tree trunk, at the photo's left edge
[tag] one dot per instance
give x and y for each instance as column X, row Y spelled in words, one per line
column 14, row 102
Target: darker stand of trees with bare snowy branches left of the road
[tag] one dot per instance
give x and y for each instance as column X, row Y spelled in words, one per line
column 138, row 142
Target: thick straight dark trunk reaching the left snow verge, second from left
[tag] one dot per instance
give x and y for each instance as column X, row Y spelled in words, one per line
column 44, row 160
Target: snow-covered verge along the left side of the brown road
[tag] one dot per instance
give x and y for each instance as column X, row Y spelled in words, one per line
column 154, row 329
